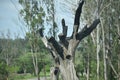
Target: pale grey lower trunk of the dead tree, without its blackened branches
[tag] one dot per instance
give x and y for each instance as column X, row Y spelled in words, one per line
column 66, row 67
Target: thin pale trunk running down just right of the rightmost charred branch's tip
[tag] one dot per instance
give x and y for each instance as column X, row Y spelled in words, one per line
column 104, row 54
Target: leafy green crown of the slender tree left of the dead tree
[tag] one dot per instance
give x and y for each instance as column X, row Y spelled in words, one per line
column 33, row 14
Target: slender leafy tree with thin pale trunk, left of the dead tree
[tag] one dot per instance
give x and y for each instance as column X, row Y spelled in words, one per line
column 33, row 14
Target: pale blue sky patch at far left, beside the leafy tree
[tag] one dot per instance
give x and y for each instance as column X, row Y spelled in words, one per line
column 9, row 20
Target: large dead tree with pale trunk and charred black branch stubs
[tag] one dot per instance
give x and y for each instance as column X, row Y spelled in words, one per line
column 63, row 51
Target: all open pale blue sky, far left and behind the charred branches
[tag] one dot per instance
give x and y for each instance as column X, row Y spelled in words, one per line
column 9, row 18
